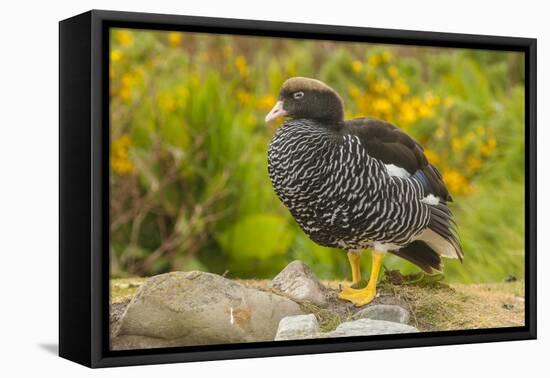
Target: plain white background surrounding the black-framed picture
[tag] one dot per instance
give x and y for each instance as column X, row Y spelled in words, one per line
column 28, row 185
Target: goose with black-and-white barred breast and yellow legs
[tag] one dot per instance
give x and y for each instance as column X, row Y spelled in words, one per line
column 357, row 184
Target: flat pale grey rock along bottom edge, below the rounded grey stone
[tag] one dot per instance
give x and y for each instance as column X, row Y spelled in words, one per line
column 369, row 327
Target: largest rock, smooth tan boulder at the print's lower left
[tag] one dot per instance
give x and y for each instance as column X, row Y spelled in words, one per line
column 197, row 308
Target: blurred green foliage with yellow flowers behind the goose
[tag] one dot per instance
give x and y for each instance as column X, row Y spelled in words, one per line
column 189, row 183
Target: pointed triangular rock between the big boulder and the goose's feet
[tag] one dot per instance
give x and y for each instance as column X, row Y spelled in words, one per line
column 298, row 283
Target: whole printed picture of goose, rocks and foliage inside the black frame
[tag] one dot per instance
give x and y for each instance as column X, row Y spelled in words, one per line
column 272, row 189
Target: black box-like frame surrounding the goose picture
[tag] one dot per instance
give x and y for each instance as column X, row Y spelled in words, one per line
column 84, row 191
